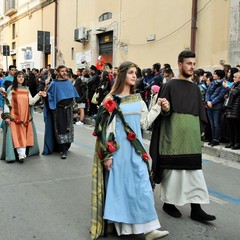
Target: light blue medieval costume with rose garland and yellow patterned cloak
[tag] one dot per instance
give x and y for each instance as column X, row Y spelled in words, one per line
column 123, row 195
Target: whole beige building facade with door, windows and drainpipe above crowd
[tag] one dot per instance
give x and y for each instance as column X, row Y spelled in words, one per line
column 41, row 32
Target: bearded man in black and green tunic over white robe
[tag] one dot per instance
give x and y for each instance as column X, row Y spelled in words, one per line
column 176, row 144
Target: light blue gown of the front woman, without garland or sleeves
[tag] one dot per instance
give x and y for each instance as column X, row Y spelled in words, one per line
column 129, row 195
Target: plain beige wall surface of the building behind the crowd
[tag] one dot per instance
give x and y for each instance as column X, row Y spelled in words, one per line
column 131, row 23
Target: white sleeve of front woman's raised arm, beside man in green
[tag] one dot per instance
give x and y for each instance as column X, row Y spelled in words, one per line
column 147, row 117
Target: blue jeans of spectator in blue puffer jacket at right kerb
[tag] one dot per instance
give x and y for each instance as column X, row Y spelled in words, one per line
column 215, row 119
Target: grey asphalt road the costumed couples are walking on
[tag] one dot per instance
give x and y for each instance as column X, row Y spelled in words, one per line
column 47, row 198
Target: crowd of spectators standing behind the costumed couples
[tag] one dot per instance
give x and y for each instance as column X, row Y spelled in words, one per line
column 220, row 91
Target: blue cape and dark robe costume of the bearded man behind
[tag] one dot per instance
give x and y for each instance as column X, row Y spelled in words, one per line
column 58, row 116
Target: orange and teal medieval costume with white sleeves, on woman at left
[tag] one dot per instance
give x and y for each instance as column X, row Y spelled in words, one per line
column 19, row 137
